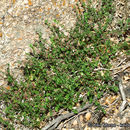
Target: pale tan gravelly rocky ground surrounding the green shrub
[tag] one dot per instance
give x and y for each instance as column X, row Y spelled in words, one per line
column 19, row 21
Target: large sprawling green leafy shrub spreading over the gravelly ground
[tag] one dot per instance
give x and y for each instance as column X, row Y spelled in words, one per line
column 63, row 75
